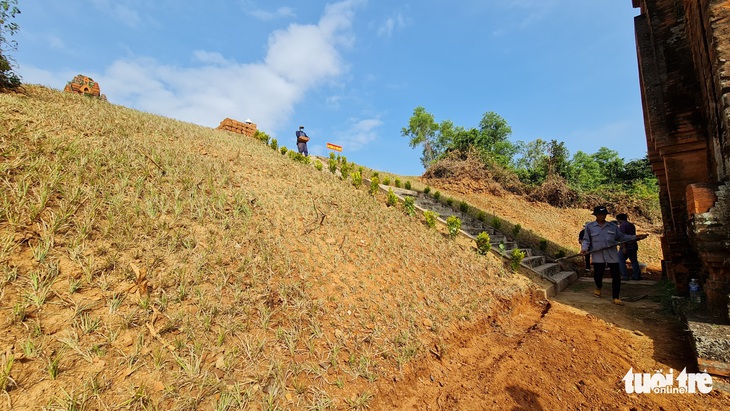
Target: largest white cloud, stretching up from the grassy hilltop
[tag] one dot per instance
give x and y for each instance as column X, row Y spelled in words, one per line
column 298, row 59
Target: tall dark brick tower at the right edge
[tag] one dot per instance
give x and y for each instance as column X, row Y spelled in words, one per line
column 683, row 49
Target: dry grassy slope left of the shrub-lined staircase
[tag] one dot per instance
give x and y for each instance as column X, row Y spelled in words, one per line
column 147, row 263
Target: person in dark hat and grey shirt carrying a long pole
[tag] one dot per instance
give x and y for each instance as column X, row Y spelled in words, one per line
column 602, row 236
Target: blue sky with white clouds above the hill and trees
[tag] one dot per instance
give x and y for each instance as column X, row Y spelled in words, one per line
column 352, row 71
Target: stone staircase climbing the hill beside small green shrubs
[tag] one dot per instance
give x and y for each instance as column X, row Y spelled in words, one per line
column 557, row 278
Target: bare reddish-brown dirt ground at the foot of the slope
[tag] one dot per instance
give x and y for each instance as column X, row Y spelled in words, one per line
column 570, row 353
